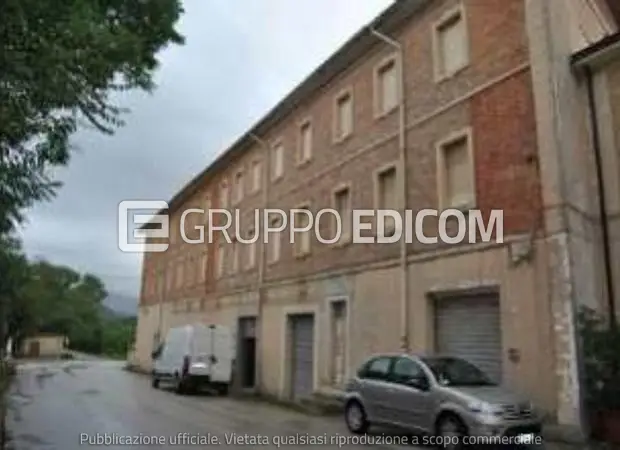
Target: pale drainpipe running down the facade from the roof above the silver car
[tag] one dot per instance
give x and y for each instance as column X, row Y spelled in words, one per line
column 402, row 144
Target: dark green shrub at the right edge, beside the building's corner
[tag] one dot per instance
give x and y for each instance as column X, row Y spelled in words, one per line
column 601, row 350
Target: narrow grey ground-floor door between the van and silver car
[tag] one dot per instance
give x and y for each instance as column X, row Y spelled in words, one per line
column 302, row 355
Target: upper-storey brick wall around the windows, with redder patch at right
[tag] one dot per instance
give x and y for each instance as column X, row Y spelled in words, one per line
column 498, row 108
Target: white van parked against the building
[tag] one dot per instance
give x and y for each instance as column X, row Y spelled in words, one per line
column 195, row 356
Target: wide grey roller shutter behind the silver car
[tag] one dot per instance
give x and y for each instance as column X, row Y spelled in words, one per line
column 469, row 327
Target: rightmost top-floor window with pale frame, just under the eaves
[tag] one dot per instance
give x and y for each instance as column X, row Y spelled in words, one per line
column 451, row 46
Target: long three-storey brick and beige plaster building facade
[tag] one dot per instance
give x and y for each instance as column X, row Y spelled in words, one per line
column 437, row 104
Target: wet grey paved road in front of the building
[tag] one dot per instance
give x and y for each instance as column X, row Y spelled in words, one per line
column 67, row 405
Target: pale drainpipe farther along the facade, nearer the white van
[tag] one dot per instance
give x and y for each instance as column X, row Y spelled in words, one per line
column 262, row 255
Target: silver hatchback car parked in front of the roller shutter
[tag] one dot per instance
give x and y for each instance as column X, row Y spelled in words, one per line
column 436, row 395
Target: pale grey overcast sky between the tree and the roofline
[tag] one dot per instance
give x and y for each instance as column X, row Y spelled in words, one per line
column 239, row 60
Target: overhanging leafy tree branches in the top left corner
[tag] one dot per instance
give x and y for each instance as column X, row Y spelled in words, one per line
column 60, row 63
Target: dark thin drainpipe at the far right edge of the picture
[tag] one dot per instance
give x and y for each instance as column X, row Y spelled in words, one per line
column 602, row 200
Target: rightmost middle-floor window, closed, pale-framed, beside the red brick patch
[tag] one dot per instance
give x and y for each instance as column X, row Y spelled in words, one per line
column 456, row 173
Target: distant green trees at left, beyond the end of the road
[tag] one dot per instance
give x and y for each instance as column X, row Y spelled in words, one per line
column 56, row 299
